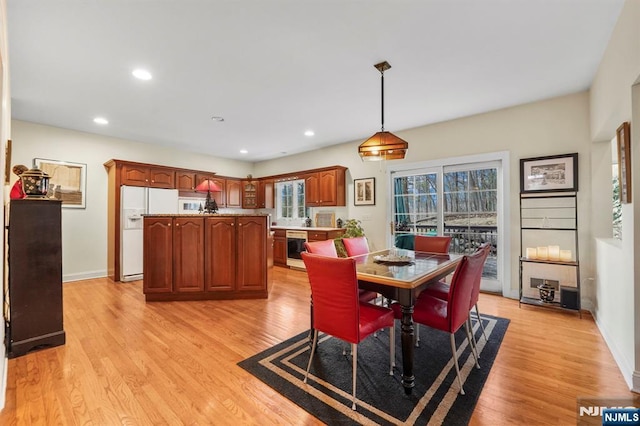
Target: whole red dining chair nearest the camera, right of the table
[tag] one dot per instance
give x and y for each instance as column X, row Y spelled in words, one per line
column 451, row 314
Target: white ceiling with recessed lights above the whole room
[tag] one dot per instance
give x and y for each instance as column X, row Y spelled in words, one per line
column 275, row 68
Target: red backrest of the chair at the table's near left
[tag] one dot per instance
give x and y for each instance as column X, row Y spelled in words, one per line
column 334, row 291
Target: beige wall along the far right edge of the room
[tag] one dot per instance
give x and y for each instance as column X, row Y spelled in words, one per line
column 617, row 278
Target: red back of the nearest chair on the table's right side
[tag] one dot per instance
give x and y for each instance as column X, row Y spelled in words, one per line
column 464, row 278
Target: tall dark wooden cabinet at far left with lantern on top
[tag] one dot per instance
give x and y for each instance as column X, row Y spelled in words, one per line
column 35, row 276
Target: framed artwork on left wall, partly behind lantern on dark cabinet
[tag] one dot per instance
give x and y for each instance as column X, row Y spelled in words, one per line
column 67, row 181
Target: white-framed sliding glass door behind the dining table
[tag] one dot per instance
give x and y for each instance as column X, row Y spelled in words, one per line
column 460, row 200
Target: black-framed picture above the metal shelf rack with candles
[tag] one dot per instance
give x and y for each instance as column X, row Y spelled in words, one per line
column 549, row 174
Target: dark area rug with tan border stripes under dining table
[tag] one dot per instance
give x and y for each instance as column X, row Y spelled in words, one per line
column 380, row 397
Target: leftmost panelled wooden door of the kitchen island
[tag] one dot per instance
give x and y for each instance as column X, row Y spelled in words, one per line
column 158, row 255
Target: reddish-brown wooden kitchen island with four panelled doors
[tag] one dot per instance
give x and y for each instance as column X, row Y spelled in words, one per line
column 207, row 256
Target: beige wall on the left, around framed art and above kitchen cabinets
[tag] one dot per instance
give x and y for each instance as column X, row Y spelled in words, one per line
column 84, row 231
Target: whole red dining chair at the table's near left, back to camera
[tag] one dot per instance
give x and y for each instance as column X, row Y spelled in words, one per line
column 339, row 313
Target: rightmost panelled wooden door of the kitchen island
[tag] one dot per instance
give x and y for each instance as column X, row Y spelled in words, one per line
column 251, row 253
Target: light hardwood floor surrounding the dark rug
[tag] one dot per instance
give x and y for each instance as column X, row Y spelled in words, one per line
column 136, row 363
